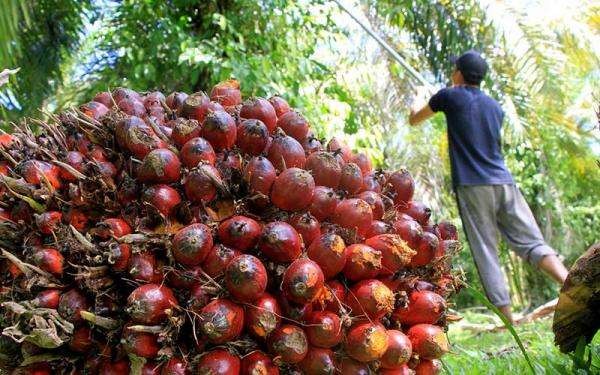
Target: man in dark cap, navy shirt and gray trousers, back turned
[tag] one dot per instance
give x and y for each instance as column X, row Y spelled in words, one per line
column 488, row 199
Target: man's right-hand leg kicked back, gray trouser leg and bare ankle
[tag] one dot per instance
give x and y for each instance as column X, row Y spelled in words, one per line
column 521, row 231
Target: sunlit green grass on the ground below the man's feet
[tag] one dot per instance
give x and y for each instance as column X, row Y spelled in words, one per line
column 498, row 353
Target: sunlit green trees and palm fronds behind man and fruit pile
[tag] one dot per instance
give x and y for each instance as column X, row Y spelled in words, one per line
column 544, row 67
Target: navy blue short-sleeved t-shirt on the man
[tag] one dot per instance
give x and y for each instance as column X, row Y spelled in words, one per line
column 474, row 121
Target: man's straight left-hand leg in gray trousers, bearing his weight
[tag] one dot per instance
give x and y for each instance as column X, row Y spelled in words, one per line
column 477, row 205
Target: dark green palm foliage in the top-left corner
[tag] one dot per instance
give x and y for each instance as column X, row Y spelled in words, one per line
column 46, row 32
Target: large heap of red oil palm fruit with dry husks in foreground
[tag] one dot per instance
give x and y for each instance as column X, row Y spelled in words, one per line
column 205, row 234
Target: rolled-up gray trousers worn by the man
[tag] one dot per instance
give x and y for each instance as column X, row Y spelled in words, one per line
column 486, row 210
